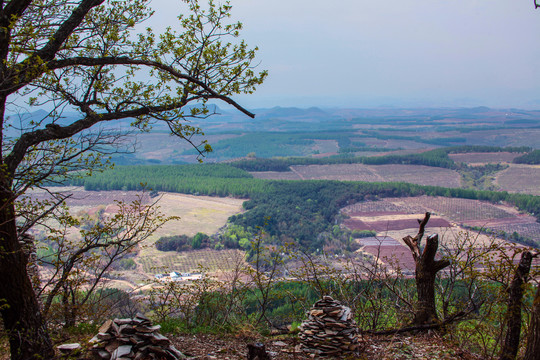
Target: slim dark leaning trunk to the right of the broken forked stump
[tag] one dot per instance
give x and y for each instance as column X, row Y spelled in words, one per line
column 513, row 313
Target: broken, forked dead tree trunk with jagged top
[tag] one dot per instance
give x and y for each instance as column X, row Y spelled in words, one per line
column 426, row 270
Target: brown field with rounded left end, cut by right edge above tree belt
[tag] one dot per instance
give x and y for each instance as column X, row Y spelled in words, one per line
column 520, row 179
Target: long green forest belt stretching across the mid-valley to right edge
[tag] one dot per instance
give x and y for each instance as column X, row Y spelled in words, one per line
column 299, row 210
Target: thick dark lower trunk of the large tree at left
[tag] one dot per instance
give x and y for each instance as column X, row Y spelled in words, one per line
column 28, row 337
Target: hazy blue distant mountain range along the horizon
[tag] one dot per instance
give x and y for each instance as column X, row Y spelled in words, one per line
column 283, row 118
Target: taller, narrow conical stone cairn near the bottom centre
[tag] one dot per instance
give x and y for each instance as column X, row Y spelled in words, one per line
column 329, row 330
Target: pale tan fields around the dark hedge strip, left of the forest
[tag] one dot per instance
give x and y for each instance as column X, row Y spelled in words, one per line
column 197, row 214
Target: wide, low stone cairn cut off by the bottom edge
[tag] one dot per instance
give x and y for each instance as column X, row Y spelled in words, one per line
column 133, row 339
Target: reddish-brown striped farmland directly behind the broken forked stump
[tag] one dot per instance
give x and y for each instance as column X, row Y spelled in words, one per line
column 395, row 218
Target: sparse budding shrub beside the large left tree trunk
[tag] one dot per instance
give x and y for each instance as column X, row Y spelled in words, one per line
column 79, row 264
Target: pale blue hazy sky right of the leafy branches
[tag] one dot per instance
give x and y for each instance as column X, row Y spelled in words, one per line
column 358, row 53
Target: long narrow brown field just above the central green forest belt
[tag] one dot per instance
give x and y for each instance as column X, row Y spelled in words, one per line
column 416, row 174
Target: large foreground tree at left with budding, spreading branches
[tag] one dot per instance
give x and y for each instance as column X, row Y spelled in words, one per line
column 85, row 56
